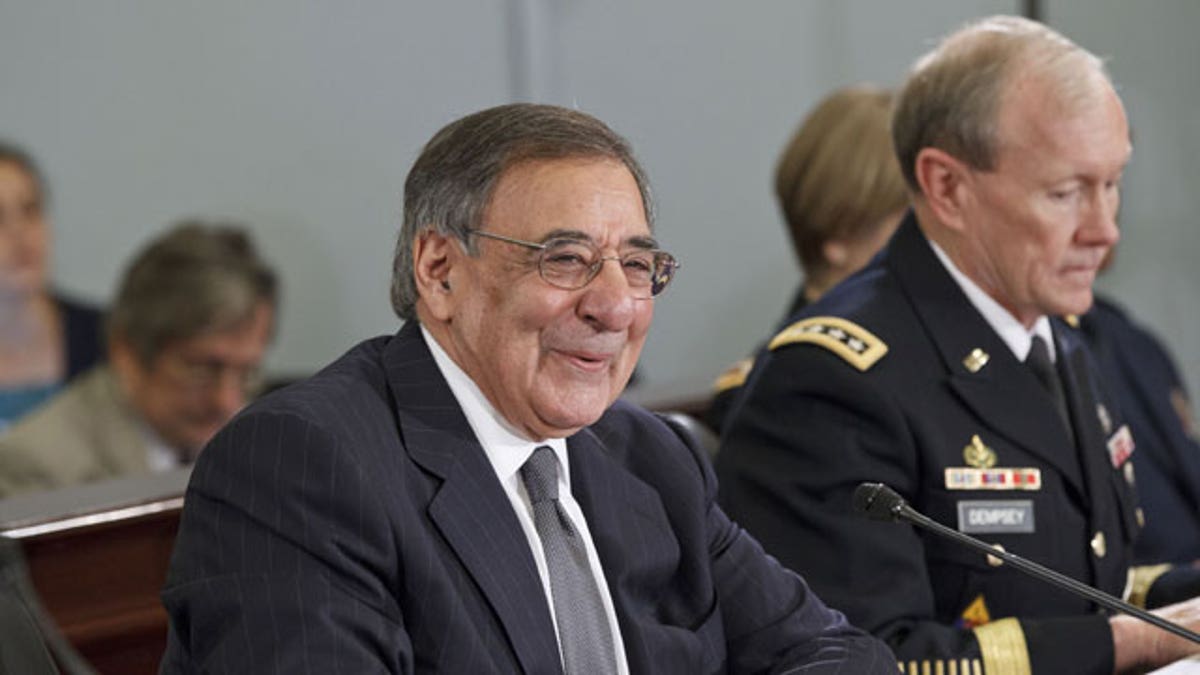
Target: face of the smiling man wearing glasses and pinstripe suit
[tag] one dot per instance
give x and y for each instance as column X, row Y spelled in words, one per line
column 551, row 361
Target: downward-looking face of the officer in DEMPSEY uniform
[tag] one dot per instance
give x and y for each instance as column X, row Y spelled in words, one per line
column 1039, row 225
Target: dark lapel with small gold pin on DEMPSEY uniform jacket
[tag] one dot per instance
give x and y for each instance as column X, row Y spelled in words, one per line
column 1004, row 393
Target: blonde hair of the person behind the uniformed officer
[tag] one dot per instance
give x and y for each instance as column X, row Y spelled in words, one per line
column 838, row 177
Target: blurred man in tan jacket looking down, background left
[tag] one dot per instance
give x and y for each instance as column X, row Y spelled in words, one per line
column 187, row 337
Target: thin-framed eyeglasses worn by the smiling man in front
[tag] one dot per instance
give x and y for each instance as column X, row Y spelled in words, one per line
column 573, row 264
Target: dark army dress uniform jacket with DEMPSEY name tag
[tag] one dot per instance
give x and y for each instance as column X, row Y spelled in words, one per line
column 896, row 378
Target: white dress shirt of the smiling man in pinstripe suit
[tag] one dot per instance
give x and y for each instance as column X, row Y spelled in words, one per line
column 508, row 451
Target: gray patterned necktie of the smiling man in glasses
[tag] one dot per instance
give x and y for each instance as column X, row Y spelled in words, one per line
column 585, row 638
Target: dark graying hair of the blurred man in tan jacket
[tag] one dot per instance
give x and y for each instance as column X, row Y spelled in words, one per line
column 196, row 279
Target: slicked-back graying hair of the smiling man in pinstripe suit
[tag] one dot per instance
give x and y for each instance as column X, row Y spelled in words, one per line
column 452, row 183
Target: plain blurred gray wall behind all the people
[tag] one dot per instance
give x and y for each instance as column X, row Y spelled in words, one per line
column 302, row 118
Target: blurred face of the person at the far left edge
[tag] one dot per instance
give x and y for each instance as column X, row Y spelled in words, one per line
column 25, row 232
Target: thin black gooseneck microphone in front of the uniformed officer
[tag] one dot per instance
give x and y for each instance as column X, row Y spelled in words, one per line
column 880, row 503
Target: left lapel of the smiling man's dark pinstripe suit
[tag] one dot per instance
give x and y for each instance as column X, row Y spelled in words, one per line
column 470, row 509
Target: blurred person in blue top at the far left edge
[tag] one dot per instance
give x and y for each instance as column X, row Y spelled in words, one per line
column 46, row 338
